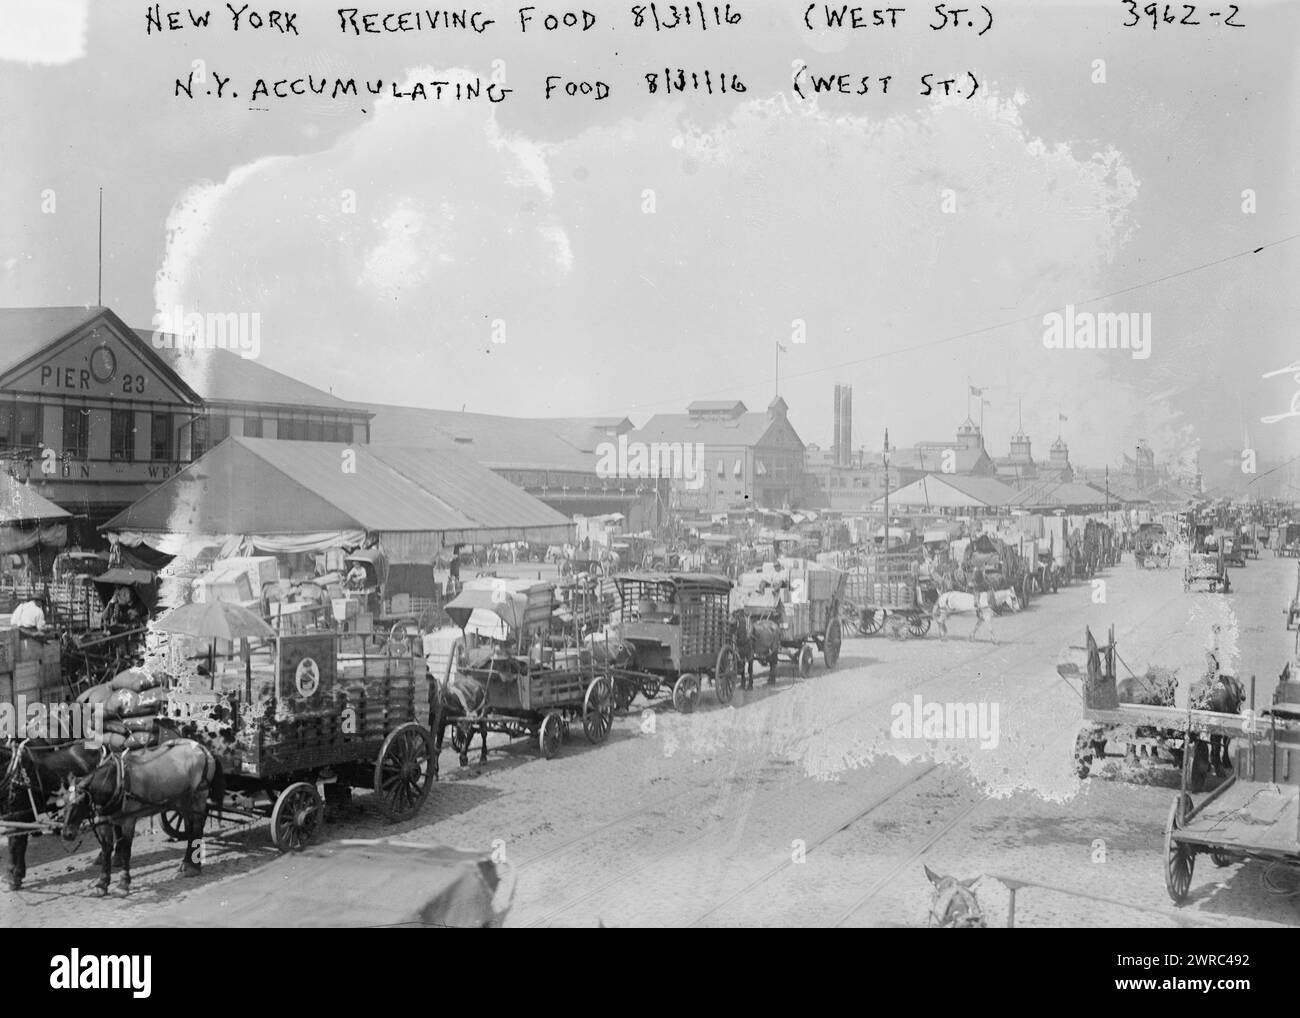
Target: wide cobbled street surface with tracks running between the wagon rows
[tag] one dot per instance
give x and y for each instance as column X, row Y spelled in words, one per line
column 813, row 803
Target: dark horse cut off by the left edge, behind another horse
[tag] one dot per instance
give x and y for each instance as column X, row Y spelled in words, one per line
column 33, row 774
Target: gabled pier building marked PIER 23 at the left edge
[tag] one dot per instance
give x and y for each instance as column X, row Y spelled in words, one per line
column 94, row 414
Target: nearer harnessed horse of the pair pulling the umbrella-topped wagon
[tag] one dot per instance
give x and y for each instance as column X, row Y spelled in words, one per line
column 179, row 776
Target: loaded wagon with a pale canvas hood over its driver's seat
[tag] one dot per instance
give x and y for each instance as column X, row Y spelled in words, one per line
column 517, row 675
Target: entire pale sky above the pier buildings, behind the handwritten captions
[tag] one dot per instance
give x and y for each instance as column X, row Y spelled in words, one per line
column 573, row 257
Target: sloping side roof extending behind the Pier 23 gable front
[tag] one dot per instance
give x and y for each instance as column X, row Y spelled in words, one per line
column 222, row 376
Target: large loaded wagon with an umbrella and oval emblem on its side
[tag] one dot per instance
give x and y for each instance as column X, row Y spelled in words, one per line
column 309, row 714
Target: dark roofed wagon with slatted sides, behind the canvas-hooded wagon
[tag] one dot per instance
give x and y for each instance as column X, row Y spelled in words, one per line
column 678, row 631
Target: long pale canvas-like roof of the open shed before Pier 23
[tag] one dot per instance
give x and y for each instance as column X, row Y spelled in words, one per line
column 268, row 487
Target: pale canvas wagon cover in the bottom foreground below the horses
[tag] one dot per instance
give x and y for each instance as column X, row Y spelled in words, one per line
column 352, row 885
